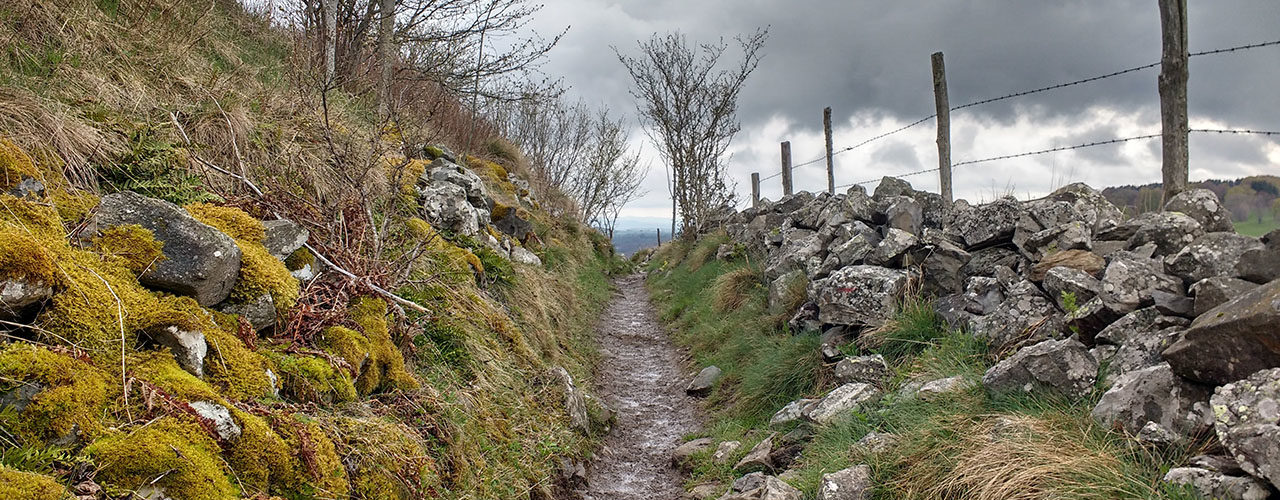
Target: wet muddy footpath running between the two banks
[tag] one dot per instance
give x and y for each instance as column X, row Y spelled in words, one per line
column 641, row 378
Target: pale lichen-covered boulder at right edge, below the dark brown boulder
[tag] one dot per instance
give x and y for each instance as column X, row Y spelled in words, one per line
column 1247, row 421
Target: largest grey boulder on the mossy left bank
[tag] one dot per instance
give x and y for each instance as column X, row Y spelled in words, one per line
column 199, row 262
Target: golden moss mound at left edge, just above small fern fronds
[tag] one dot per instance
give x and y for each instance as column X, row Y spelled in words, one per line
column 74, row 397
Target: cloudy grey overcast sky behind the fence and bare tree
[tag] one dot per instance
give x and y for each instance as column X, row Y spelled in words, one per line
column 870, row 62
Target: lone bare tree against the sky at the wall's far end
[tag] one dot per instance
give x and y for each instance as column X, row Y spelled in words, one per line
column 691, row 111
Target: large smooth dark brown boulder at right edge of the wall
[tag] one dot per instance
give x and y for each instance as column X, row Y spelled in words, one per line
column 1233, row 341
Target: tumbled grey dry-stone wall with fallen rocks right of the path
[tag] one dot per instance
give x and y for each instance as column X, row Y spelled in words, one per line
column 1173, row 314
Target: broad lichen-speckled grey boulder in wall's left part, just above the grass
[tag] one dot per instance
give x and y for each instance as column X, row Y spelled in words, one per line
column 865, row 296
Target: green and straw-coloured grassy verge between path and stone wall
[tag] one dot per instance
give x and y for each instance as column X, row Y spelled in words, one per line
column 962, row 446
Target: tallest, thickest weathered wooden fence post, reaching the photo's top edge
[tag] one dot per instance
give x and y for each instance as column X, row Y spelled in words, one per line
column 1173, row 97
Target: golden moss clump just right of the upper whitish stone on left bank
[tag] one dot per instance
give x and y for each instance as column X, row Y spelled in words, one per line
column 234, row 369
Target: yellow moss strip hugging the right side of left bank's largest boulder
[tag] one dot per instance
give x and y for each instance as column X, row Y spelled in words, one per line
column 260, row 273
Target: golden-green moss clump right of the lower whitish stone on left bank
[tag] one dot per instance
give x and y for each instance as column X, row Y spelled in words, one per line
column 260, row 457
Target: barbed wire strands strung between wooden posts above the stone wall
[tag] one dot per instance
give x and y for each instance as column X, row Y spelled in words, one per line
column 788, row 168
